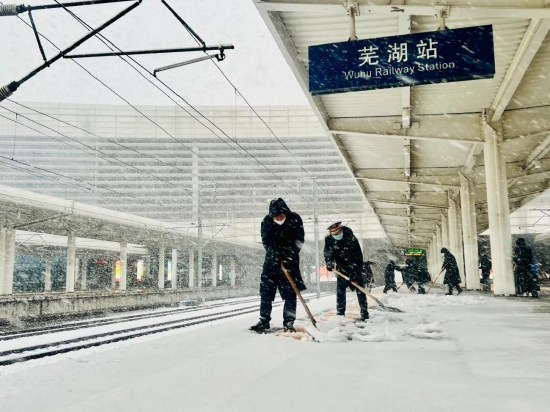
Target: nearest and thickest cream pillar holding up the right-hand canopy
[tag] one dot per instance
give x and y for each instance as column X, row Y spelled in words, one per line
column 499, row 213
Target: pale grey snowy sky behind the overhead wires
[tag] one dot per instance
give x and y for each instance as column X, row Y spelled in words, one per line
column 256, row 66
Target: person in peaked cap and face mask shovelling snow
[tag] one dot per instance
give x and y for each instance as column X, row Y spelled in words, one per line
column 342, row 251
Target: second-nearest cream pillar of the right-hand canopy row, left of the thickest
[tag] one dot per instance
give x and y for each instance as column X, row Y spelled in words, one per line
column 469, row 233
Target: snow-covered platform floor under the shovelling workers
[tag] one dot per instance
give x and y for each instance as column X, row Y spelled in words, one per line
column 469, row 353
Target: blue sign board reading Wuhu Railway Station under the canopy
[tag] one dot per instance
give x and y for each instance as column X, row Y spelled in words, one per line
column 405, row 60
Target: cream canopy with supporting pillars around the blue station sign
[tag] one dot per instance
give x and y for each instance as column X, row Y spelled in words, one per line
column 438, row 163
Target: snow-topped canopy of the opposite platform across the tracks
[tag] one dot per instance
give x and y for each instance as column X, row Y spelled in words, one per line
column 45, row 221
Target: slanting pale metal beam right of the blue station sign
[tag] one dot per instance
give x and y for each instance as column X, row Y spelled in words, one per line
column 530, row 44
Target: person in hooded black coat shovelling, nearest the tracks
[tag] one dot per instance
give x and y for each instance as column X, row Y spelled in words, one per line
column 282, row 237
